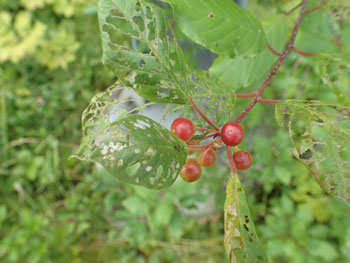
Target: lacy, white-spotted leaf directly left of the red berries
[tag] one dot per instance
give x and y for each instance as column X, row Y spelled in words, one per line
column 132, row 147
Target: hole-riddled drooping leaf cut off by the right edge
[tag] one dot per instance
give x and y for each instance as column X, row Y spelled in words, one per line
column 320, row 134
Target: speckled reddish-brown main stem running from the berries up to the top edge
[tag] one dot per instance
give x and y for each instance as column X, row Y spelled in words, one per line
column 268, row 80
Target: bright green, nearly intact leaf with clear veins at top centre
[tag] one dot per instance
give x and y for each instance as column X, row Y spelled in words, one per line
column 221, row 26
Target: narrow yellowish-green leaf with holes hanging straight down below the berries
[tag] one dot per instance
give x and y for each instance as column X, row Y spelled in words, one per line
column 241, row 240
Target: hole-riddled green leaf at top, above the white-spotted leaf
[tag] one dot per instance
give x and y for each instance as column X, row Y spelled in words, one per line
column 155, row 67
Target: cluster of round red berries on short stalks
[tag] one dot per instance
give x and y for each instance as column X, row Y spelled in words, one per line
column 231, row 134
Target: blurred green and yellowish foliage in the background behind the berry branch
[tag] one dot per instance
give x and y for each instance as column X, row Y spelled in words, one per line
column 55, row 209
